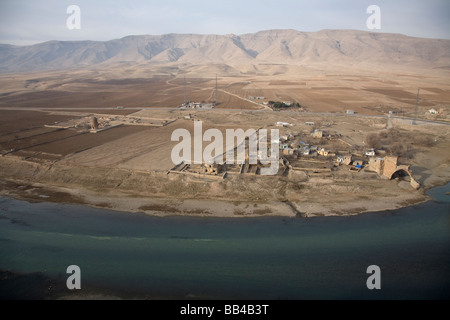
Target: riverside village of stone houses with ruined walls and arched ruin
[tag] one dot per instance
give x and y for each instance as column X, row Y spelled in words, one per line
column 314, row 152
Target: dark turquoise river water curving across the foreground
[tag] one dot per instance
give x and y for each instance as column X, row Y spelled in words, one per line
column 255, row 258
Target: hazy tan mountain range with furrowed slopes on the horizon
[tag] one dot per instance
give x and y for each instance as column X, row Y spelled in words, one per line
column 290, row 47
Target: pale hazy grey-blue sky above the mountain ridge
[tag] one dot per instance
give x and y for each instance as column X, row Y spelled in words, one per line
column 30, row 21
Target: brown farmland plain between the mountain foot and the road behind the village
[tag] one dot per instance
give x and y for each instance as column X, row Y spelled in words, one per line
column 318, row 91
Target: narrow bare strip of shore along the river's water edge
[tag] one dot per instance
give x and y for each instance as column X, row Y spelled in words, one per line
column 167, row 207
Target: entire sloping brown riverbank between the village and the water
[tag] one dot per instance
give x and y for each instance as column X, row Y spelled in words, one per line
column 159, row 194
